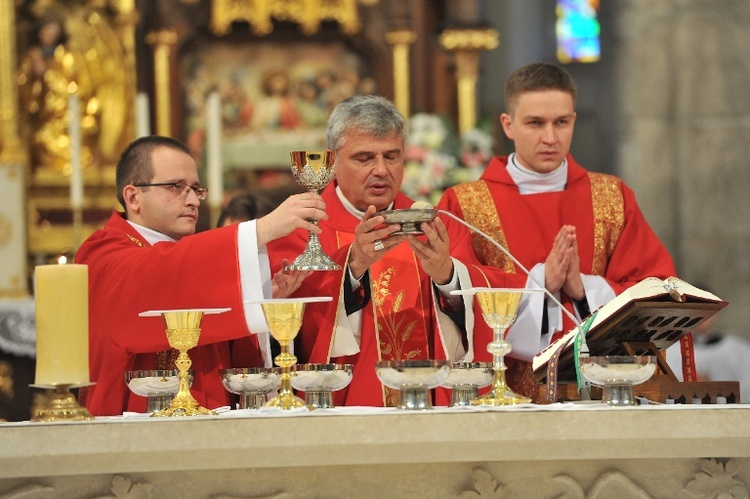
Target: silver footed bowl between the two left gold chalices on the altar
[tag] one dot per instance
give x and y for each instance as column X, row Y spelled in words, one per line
column 252, row 384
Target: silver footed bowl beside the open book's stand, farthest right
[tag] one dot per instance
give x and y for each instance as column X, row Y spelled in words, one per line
column 617, row 374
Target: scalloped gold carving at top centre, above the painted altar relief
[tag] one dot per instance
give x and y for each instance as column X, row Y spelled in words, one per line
column 307, row 13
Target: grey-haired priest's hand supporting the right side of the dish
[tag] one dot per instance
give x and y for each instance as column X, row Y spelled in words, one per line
column 433, row 251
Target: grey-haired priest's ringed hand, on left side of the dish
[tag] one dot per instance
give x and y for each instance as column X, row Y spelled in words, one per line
column 372, row 240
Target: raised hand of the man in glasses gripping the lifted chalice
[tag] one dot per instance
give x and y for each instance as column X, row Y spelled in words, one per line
column 294, row 213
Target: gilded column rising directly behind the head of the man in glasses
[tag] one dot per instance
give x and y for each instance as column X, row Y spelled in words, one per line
column 162, row 42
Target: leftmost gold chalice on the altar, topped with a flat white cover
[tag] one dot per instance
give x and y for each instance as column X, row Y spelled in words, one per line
column 183, row 331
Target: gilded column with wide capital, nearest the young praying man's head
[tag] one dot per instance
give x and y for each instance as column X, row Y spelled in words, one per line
column 466, row 44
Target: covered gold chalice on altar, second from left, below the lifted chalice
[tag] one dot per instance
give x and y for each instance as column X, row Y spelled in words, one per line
column 284, row 319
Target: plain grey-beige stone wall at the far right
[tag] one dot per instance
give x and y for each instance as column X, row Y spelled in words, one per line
column 683, row 77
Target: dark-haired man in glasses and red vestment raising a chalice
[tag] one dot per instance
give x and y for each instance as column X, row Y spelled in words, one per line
column 150, row 258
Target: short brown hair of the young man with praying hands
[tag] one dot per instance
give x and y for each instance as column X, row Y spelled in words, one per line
column 537, row 77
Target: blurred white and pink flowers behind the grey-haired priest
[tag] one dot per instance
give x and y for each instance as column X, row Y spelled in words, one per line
column 436, row 158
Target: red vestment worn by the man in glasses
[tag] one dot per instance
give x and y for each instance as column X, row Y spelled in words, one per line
column 128, row 276
